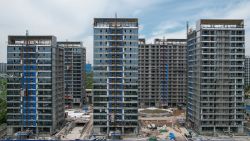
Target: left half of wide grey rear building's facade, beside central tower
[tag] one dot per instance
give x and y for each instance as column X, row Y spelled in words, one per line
column 150, row 74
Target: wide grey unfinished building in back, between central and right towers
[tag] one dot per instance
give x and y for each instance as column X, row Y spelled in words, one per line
column 162, row 73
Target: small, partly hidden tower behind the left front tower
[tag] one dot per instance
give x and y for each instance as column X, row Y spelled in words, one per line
column 74, row 73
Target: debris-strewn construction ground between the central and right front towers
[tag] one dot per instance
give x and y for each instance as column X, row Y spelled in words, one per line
column 160, row 127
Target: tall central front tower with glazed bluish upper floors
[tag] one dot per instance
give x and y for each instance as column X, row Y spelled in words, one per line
column 115, row 76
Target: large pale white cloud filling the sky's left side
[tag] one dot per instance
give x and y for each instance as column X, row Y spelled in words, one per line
column 66, row 19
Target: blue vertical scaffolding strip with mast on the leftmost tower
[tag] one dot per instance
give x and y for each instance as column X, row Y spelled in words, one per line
column 27, row 92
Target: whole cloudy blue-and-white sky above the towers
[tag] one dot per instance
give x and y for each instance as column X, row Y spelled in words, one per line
column 73, row 19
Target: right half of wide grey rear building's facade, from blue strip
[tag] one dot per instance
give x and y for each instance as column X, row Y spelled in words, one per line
column 175, row 66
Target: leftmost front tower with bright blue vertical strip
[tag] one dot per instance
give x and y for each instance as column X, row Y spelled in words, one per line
column 35, row 91
